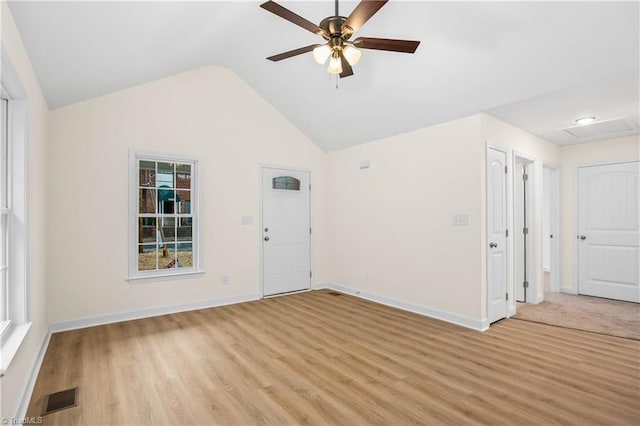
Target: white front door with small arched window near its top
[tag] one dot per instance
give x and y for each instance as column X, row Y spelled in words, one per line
column 286, row 231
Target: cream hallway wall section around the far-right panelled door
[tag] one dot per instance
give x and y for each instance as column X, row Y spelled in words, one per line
column 573, row 156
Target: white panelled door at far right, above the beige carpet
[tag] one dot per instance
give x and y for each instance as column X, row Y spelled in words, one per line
column 608, row 231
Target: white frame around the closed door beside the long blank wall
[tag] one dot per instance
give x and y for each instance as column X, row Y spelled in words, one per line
column 508, row 250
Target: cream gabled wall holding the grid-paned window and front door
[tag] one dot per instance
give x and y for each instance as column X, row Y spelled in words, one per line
column 208, row 112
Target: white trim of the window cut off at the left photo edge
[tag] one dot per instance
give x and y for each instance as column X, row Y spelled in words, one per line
column 16, row 328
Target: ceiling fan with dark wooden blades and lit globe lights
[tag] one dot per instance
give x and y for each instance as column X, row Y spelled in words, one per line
column 337, row 31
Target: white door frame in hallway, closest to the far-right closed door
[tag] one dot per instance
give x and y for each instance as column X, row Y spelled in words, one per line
column 554, row 225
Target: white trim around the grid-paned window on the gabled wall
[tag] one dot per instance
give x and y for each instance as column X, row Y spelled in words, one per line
column 136, row 276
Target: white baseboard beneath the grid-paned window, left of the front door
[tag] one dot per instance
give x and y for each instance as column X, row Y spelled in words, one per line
column 149, row 312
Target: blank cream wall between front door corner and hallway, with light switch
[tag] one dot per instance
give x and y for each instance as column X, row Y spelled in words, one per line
column 390, row 228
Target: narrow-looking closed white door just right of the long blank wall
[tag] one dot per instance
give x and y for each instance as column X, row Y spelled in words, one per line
column 496, row 235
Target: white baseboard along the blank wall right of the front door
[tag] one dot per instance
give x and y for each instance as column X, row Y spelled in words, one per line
column 480, row 325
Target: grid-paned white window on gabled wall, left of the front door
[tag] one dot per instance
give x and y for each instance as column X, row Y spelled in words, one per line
column 164, row 215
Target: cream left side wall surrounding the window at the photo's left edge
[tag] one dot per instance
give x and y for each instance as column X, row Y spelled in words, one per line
column 13, row 384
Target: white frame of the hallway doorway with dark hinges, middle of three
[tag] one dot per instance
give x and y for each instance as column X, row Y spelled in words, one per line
column 534, row 293
